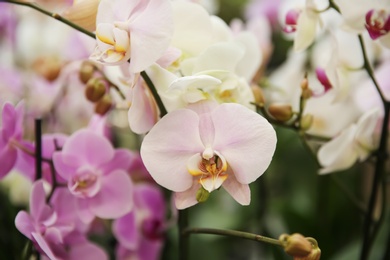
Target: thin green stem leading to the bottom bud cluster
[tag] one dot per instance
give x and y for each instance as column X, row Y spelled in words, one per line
column 234, row 233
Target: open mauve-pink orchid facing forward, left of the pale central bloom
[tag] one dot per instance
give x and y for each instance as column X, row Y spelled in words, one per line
column 96, row 175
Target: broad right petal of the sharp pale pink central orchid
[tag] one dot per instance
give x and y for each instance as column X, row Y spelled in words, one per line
column 245, row 139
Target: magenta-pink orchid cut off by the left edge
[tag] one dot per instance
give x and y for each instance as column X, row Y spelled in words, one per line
column 11, row 131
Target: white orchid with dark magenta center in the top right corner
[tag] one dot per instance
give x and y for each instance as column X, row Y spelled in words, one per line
column 370, row 15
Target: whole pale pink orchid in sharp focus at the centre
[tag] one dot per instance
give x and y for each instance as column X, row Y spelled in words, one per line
column 196, row 150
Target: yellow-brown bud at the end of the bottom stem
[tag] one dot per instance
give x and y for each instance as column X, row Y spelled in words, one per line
column 296, row 245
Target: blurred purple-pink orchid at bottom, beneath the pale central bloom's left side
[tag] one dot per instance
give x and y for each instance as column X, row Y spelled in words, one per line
column 140, row 232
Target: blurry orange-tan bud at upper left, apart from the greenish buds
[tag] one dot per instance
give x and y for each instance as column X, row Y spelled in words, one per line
column 47, row 67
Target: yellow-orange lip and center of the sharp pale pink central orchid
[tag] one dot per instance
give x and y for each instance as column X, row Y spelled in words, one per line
column 209, row 168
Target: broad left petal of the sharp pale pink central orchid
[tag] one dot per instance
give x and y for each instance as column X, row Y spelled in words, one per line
column 168, row 146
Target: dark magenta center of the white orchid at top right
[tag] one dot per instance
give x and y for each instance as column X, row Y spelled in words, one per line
column 377, row 23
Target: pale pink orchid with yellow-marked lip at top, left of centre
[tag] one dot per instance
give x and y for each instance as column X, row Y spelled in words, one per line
column 136, row 30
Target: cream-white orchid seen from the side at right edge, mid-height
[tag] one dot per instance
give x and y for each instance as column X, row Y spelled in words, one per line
column 353, row 143
